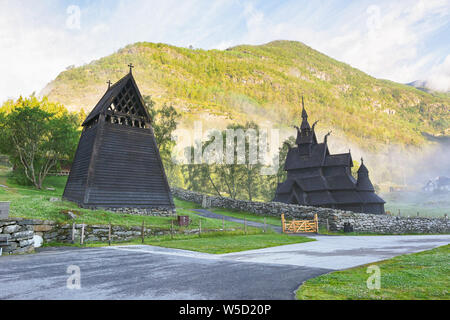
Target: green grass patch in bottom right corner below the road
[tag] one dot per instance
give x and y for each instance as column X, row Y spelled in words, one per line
column 424, row 275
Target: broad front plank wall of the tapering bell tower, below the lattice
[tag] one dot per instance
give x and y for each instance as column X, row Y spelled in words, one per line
column 128, row 171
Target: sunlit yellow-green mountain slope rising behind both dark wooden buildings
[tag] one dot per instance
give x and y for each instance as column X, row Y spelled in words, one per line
column 264, row 83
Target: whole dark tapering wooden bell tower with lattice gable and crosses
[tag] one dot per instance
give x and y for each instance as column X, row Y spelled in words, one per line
column 117, row 163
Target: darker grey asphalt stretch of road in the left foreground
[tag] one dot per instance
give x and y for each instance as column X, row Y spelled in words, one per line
column 142, row 272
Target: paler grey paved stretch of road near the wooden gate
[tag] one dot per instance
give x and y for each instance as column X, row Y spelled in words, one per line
column 341, row 252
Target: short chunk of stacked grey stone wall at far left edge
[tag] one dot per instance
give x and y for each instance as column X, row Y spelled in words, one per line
column 19, row 234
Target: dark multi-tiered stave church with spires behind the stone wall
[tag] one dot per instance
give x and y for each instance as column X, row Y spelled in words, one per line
column 317, row 178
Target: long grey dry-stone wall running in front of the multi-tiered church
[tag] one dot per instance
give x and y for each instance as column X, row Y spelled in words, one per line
column 335, row 219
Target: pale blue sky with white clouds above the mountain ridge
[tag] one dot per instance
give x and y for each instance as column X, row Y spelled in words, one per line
column 402, row 41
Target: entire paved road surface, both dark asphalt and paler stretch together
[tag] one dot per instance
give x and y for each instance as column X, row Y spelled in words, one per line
column 147, row 272
